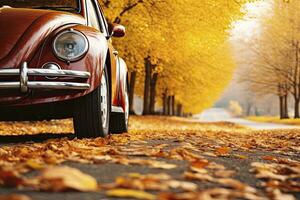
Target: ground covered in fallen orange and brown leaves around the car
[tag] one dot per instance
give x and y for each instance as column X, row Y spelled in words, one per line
column 161, row 158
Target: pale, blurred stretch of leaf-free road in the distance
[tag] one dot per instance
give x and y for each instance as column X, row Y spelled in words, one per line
column 220, row 114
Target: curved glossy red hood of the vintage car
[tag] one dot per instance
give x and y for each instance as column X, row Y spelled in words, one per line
column 23, row 31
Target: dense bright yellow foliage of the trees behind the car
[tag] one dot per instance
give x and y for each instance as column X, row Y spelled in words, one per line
column 185, row 39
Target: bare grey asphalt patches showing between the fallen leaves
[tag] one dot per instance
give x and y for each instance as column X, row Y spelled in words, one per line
column 108, row 172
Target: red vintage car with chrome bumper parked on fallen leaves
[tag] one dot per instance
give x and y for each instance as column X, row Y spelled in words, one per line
column 57, row 61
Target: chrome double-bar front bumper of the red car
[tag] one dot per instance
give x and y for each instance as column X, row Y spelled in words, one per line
column 24, row 84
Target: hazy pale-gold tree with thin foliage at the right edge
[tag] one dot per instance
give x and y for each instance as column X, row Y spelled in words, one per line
column 275, row 66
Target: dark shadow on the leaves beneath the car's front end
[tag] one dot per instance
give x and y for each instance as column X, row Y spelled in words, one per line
column 6, row 139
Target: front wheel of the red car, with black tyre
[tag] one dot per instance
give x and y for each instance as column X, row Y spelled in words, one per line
column 92, row 112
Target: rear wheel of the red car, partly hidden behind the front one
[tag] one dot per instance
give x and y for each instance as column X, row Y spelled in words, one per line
column 119, row 121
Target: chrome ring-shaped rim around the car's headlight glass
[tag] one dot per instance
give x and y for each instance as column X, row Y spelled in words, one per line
column 75, row 58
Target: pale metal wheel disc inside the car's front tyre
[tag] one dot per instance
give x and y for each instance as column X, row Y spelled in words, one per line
column 104, row 101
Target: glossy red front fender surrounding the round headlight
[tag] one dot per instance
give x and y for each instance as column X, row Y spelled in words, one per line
column 93, row 62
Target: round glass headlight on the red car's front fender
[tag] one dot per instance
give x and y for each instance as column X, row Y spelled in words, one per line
column 70, row 45
